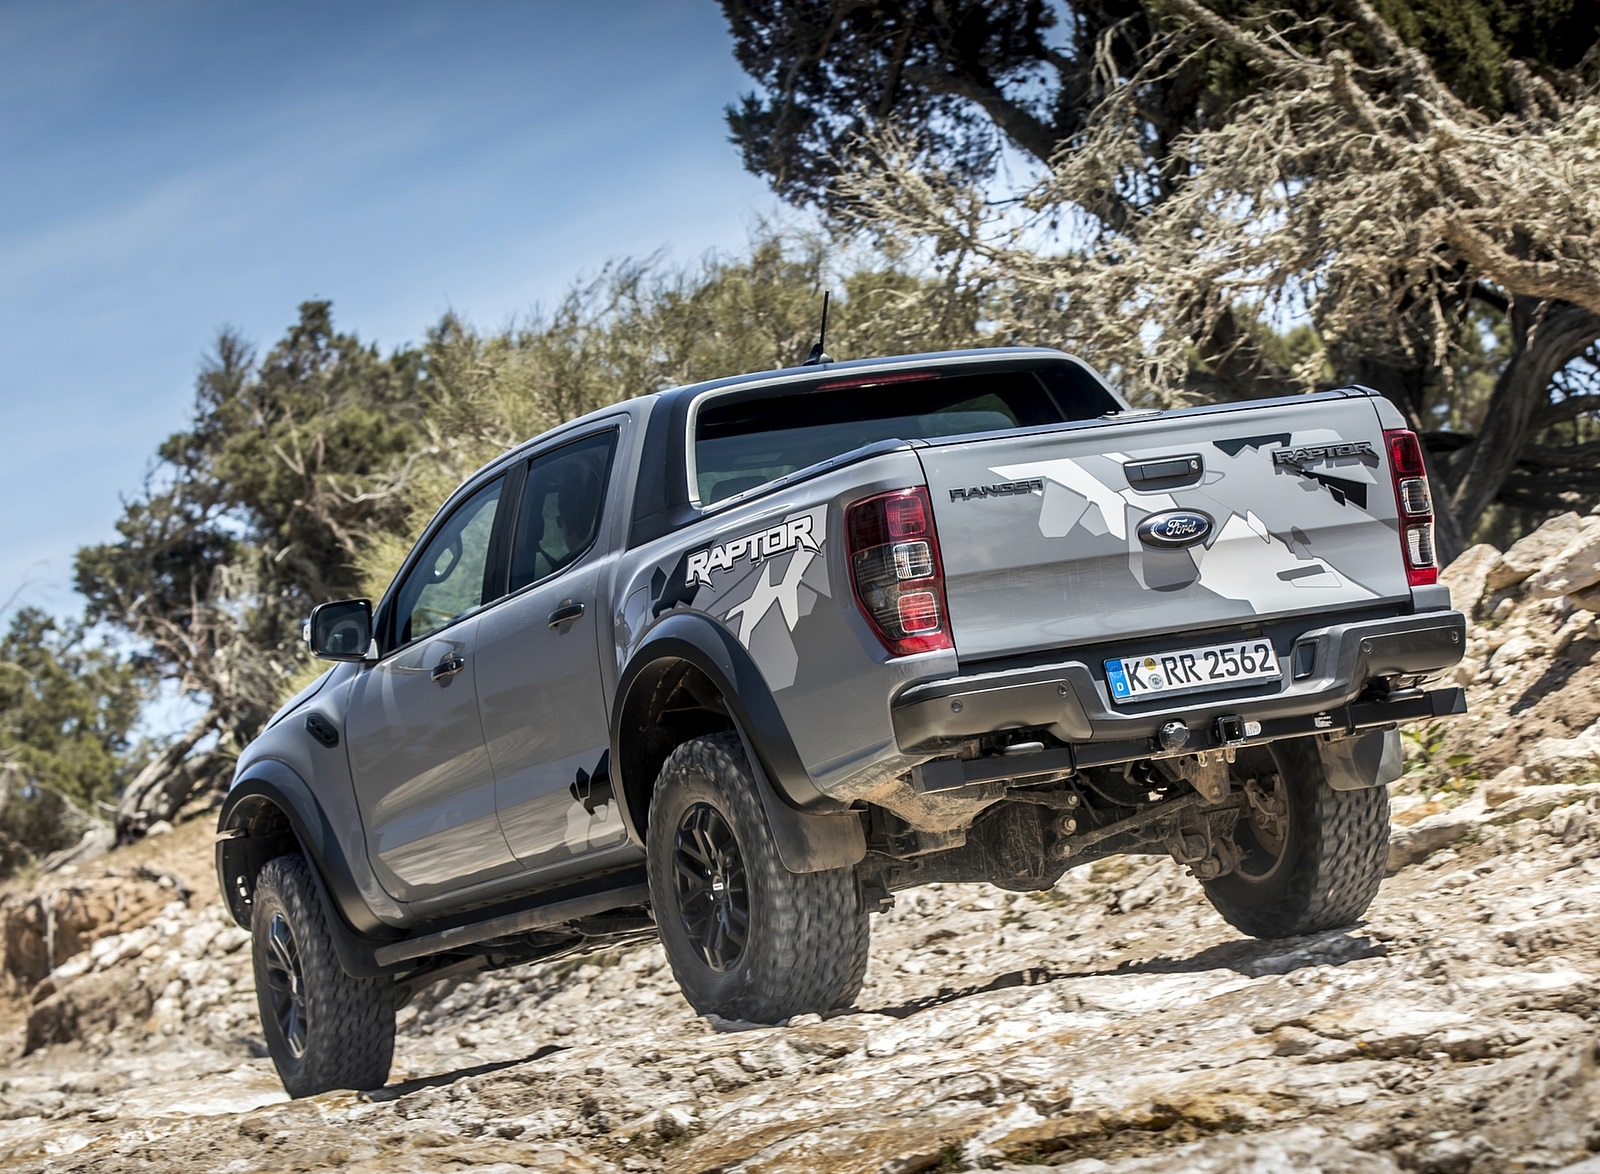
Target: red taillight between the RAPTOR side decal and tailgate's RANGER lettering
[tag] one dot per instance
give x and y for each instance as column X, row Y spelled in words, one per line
column 897, row 573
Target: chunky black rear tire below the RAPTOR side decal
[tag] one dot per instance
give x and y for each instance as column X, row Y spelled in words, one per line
column 806, row 938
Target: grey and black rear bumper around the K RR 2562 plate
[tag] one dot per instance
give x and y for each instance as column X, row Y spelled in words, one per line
column 1324, row 674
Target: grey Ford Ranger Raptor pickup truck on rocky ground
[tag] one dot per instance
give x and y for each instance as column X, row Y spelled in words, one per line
column 734, row 663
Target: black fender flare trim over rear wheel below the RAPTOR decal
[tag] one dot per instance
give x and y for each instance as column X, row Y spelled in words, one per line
column 812, row 833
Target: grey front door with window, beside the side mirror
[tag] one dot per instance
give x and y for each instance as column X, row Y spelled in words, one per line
column 423, row 777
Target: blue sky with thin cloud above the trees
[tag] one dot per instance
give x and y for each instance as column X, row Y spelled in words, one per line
column 170, row 167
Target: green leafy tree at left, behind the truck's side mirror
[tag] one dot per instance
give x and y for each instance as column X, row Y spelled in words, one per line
column 252, row 516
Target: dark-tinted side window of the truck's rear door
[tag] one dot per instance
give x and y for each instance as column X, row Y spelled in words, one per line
column 561, row 508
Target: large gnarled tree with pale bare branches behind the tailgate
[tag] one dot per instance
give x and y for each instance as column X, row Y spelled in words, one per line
column 1407, row 201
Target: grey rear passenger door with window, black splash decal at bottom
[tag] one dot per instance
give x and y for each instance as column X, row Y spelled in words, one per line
column 540, row 665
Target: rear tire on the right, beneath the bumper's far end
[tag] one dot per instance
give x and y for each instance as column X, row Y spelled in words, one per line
column 1332, row 861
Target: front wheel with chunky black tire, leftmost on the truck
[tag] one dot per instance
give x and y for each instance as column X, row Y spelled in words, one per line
column 346, row 1026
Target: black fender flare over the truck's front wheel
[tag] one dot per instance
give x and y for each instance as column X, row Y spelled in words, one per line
column 356, row 932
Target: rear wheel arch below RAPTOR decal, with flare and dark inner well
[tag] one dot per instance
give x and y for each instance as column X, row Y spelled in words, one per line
column 692, row 660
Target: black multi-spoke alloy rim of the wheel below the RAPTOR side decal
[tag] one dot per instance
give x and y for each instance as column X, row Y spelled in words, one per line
column 714, row 901
